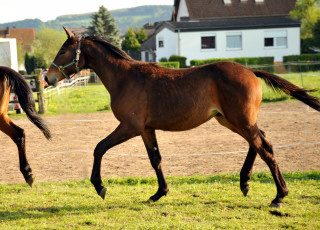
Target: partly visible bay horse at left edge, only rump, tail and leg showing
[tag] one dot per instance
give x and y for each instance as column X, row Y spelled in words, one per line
column 12, row 81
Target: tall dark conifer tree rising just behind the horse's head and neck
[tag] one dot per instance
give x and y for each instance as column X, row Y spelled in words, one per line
column 104, row 26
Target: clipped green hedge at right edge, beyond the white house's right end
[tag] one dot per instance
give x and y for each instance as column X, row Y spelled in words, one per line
column 303, row 58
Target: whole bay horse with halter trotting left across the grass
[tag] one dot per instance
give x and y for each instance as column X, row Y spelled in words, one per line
column 146, row 97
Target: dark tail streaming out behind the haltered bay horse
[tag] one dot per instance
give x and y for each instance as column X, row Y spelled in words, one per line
column 278, row 83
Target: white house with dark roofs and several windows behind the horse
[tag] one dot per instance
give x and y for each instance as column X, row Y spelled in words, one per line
column 206, row 29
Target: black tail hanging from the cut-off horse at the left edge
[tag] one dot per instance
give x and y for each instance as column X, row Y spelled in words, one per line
column 25, row 97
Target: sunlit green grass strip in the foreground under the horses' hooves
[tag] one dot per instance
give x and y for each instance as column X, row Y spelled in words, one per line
column 197, row 202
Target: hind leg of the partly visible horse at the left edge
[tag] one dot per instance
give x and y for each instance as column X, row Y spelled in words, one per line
column 18, row 136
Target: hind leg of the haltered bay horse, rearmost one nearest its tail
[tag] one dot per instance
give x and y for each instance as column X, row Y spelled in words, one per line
column 257, row 141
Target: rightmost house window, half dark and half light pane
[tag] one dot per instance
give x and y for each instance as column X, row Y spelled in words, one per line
column 276, row 39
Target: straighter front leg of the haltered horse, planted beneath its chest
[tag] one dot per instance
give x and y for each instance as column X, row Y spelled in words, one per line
column 150, row 141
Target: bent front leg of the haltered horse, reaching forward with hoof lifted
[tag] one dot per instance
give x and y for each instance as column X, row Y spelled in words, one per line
column 121, row 134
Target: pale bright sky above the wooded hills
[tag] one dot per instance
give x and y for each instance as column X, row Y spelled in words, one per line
column 16, row 10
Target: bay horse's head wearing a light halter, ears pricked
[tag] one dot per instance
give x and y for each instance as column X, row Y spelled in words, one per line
column 68, row 60
